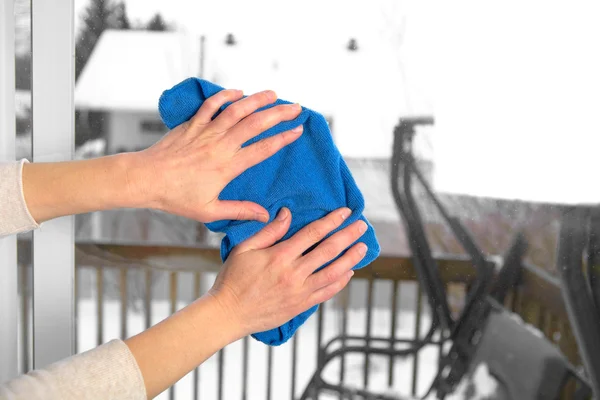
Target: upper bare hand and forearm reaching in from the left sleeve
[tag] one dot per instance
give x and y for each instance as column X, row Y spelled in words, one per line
column 182, row 174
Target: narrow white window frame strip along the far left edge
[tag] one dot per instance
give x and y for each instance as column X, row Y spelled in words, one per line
column 9, row 300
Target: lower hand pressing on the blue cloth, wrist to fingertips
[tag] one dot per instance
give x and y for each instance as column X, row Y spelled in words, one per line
column 262, row 285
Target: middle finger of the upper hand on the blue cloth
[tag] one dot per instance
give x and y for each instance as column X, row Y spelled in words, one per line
column 259, row 122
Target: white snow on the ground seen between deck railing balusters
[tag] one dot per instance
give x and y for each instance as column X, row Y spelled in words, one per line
column 282, row 356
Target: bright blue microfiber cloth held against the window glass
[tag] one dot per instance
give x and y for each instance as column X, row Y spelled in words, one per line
column 309, row 177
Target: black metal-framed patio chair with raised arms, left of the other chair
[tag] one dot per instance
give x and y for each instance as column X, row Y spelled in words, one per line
column 526, row 365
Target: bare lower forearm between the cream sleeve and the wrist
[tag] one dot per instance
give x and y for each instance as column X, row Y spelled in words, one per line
column 168, row 351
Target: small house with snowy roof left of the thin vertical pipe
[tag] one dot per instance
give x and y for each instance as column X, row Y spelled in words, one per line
column 124, row 77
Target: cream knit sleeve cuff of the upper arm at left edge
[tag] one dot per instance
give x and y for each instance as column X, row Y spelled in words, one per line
column 14, row 215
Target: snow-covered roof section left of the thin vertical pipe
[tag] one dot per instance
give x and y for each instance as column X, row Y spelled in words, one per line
column 128, row 70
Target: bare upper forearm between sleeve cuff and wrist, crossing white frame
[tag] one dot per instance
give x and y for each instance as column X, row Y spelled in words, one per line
column 54, row 190
